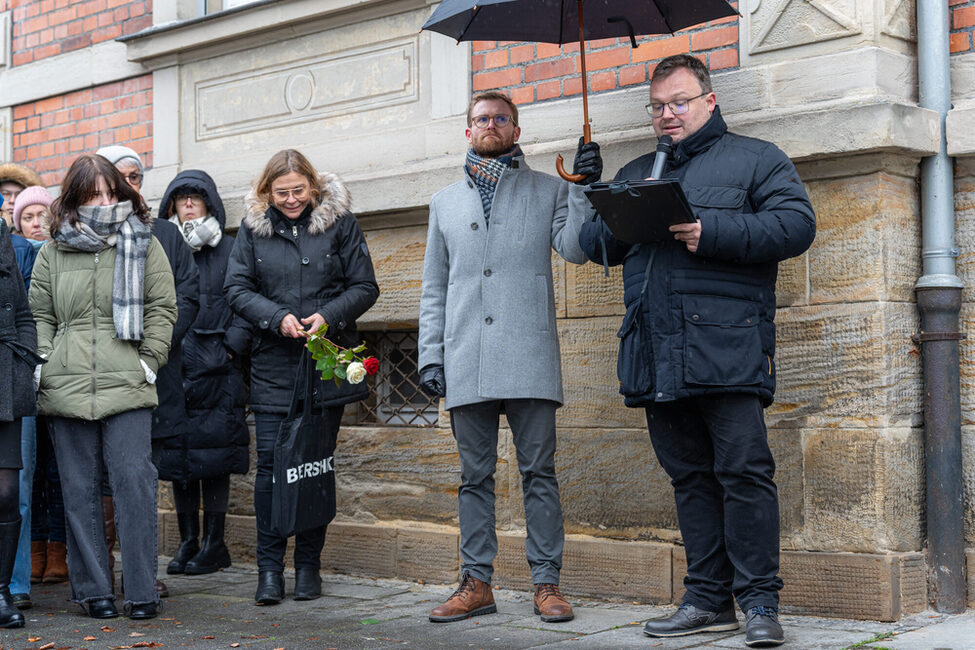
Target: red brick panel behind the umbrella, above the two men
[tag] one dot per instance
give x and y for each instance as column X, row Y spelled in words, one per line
column 535, row 72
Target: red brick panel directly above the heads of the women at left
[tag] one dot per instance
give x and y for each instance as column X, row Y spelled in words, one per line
column 50, row 133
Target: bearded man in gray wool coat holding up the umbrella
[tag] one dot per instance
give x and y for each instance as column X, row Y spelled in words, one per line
column 489, row 343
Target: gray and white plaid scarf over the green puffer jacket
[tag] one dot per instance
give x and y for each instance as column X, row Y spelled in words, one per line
column 103, row 226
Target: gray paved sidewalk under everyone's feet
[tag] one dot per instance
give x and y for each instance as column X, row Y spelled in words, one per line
column 217, row 611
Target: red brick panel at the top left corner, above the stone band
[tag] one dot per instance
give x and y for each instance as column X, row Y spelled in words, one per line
column 44, row 28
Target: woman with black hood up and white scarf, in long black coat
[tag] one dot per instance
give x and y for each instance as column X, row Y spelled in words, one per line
column 213, row 443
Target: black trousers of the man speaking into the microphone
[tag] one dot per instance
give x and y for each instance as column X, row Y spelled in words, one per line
column 716, row 452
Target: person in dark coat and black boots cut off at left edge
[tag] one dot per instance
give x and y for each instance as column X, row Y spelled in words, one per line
column 18, row 357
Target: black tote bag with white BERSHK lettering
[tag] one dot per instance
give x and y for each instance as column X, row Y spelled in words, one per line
column 303, row 495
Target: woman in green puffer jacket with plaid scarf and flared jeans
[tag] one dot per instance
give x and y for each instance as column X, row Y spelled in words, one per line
column 103, row 298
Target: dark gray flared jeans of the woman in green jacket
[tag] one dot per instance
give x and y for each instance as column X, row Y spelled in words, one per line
column 119, row 444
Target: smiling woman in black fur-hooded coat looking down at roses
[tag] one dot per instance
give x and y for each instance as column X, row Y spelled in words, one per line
column 300, row 260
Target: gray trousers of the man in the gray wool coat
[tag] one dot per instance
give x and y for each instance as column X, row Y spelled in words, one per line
column 475, row 428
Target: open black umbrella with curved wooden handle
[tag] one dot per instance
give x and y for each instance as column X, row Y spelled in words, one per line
column 564, row 21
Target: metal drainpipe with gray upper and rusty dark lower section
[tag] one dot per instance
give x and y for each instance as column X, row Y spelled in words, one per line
column 939, row 303
